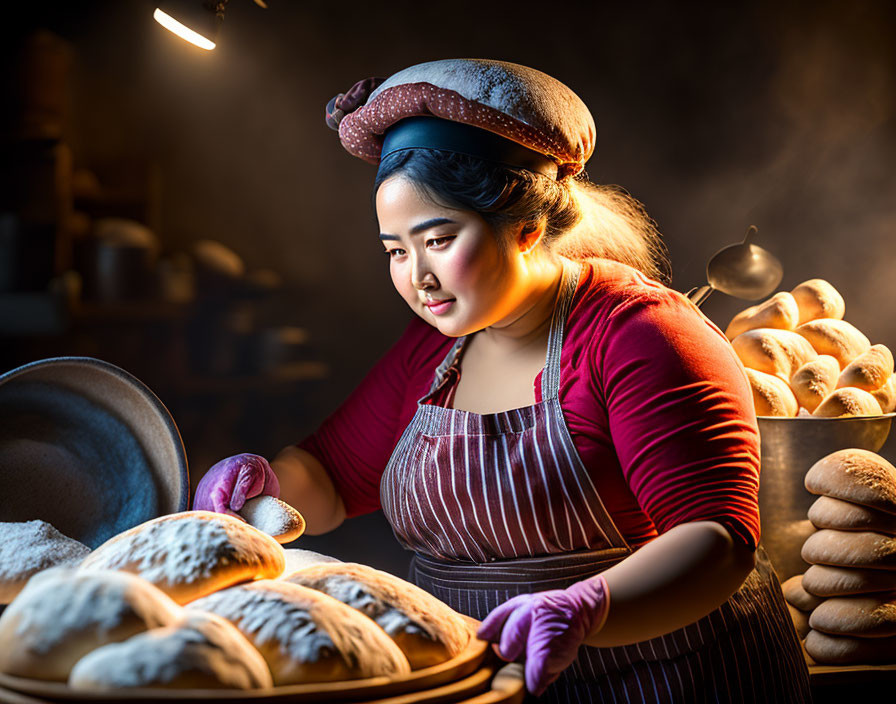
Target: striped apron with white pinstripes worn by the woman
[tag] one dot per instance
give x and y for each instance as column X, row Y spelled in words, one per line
column 501, row 504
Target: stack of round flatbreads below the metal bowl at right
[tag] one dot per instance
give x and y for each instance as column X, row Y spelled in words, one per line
column 844, row 606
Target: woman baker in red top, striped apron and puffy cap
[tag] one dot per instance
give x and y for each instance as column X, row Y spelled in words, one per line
column 568, row 446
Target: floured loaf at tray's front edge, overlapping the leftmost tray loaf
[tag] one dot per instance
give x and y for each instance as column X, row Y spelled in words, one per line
column 200, row 650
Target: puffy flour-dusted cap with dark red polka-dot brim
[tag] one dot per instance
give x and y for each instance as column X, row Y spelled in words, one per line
column 517, row 103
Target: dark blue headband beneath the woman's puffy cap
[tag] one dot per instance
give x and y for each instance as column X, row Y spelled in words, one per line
column 461, row 138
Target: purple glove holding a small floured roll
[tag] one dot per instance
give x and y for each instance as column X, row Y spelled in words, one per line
column 227, row 485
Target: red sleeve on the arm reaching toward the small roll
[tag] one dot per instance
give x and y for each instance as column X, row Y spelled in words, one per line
column 355, row 443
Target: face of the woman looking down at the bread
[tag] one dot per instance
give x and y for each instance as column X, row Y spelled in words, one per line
column 447, row 264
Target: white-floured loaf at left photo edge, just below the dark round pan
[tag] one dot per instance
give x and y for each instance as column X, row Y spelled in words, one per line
column 31, row 547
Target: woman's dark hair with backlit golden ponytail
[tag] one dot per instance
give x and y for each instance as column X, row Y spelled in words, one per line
column 582, row 219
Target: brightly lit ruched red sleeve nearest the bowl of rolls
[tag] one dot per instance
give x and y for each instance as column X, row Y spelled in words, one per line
column 681, row 415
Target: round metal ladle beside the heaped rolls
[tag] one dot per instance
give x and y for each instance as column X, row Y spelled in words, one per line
column 742, row 270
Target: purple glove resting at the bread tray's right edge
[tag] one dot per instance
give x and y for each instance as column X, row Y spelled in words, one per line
column 548, row 627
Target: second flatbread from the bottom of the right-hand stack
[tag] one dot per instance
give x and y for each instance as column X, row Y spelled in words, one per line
column 860, row 616
